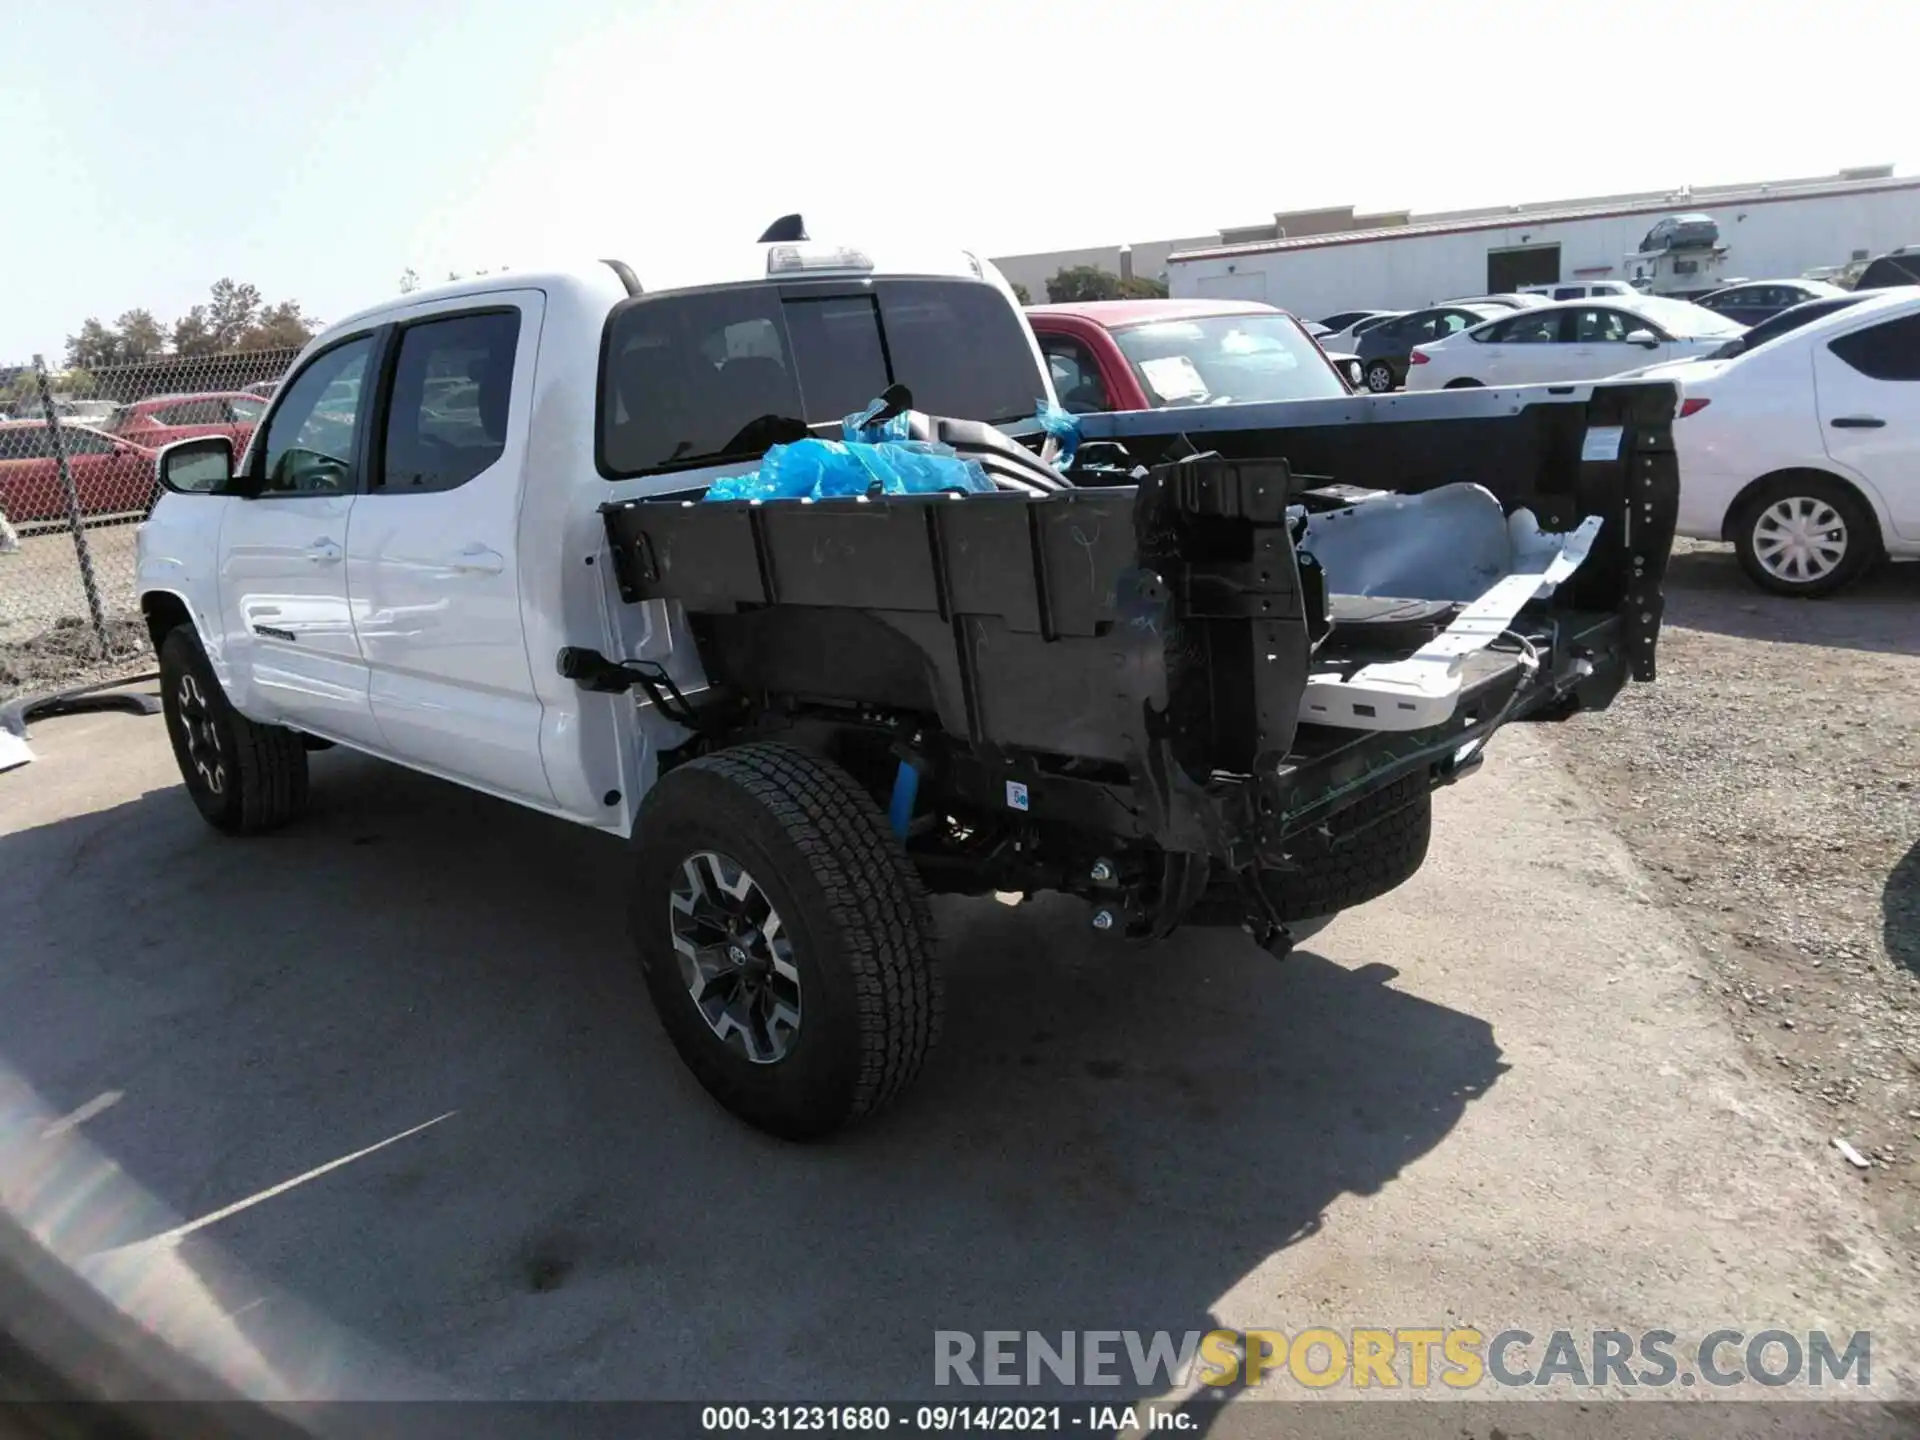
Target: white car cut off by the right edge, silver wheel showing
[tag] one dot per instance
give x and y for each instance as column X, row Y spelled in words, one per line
column 1806, row 450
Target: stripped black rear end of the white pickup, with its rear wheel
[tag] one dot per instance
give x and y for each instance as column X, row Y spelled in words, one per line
column 1201, row 690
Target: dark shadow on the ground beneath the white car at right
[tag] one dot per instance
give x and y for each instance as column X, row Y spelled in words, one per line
column 1708, row 590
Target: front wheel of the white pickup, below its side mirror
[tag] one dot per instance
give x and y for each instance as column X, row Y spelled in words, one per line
column 243, row 777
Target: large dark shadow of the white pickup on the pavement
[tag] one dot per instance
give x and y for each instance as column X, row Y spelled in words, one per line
column 1109, row 1140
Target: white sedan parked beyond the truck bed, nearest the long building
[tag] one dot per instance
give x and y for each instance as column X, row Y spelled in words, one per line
column 1570, row 341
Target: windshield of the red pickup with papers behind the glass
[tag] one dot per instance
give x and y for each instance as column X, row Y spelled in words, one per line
column 1228, row 358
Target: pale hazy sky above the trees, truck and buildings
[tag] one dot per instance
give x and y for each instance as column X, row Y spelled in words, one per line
column 322, row 147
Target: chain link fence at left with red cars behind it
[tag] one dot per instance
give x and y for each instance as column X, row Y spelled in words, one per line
column 78, row 479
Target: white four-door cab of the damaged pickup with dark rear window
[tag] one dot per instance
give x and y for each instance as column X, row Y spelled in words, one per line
column 416, row 527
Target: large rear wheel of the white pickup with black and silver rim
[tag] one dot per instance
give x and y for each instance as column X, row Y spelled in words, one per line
column 786, row 938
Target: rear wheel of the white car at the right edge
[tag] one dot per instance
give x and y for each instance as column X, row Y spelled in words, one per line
column 1806, row 535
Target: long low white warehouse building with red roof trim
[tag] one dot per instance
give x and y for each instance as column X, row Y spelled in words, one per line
column 1769, row 231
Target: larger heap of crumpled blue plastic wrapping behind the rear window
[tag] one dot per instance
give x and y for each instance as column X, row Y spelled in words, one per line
column 871, row 458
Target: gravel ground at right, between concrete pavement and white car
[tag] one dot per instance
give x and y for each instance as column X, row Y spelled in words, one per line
column 1771, row 784
